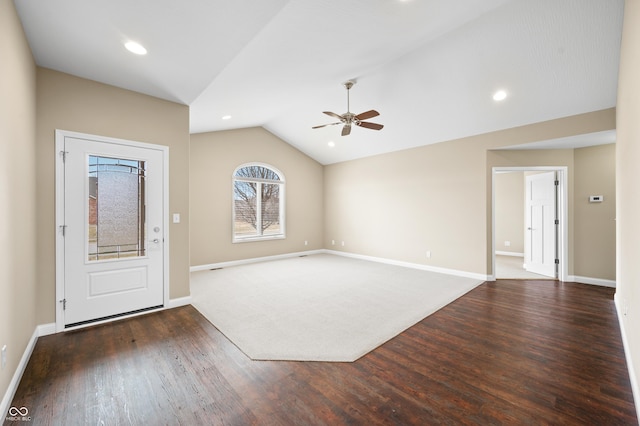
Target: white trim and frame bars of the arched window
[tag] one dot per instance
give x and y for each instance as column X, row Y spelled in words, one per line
column 259, row 234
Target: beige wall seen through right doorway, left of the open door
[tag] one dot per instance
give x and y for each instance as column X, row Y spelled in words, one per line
column 509, row 211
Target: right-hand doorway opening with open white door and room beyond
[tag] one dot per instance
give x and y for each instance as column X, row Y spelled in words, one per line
column 529, row 234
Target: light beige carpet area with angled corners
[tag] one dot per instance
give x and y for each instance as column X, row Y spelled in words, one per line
column 321, row 307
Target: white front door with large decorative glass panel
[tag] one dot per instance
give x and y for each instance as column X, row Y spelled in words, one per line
column 113, row 228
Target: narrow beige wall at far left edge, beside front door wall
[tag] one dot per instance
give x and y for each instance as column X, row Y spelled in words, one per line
column 17, row 192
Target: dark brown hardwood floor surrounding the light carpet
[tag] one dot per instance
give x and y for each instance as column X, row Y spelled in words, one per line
column 508, row 352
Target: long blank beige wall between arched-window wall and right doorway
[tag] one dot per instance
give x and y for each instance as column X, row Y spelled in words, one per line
column 401, row 205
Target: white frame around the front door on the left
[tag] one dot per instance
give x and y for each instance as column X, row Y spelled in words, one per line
column 60, row 136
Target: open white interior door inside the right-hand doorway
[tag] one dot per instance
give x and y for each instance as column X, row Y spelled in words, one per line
column 540, row 233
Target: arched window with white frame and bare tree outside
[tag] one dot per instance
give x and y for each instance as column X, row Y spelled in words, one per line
column 258, row 203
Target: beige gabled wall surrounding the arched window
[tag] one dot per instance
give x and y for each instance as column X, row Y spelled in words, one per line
column 214, row 157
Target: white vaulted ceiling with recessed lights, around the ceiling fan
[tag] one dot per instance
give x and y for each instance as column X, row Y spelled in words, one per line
column 428, row 66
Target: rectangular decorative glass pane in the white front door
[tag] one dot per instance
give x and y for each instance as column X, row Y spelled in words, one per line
column 116, row 208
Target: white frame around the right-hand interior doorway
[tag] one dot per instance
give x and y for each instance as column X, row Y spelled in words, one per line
column 563, row 215
